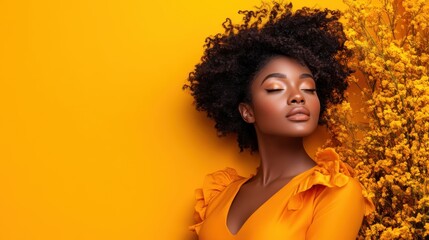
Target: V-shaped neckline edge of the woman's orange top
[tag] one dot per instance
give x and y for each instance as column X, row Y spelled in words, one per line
column 260, row 206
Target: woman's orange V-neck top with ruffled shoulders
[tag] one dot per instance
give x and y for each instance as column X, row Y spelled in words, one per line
column 323, row 203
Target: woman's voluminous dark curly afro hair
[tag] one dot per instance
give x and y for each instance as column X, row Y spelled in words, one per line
column 221, row 81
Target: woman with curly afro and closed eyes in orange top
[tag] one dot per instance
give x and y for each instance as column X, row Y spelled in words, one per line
column 269, row 80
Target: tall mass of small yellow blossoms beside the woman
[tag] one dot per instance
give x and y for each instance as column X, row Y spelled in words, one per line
column 389, row 145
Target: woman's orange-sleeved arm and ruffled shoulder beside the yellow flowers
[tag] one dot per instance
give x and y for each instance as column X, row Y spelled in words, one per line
column 337, row 199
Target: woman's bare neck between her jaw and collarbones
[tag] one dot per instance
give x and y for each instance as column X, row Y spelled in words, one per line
column 281, row 158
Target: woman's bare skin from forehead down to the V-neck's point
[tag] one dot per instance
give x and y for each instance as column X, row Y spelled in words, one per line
column 284, row 109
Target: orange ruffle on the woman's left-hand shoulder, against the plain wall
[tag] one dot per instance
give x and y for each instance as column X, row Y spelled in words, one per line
column 213, row 184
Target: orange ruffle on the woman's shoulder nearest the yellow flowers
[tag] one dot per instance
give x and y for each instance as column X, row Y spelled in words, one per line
column 330, row 172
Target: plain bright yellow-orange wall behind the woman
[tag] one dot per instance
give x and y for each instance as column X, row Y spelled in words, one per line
column 97, row 139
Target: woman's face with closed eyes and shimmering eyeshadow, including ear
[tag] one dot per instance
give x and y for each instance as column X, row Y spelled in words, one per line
column 284, row 99
